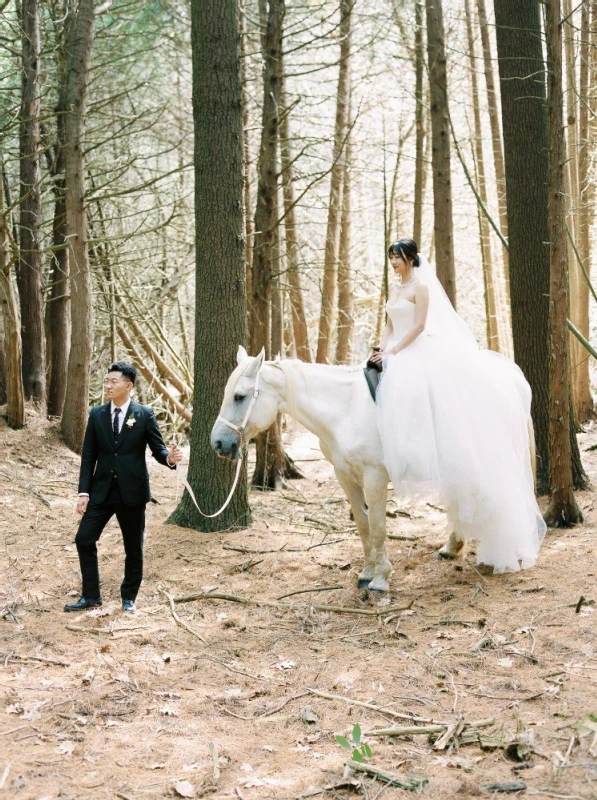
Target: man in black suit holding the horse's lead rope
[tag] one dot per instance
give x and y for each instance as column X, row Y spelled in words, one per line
column 114, row 480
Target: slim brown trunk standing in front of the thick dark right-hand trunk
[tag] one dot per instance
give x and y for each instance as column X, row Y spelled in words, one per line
column 563, row 510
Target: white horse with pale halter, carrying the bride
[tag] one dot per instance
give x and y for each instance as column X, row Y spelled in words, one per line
column 335, row 404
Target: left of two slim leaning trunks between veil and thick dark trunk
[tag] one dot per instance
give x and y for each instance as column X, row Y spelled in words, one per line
column 493, row 342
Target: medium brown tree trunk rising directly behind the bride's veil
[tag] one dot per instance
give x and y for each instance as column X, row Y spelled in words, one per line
column 440, row 134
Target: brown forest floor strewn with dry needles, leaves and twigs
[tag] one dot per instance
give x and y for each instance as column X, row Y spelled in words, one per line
column 108, row 705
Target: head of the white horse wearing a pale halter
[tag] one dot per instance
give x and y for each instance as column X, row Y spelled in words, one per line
column 249, row 406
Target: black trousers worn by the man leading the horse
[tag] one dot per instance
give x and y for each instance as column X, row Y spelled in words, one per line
column 132, row 524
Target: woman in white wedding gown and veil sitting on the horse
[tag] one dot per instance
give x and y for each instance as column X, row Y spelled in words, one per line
column 454, row 420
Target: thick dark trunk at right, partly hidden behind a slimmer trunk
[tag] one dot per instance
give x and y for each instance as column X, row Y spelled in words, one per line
column 524, row 120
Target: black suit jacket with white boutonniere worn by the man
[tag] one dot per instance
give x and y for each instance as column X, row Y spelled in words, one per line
column 102, row 458
